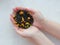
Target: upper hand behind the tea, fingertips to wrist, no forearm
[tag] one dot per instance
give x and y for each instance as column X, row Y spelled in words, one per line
column 37, row 16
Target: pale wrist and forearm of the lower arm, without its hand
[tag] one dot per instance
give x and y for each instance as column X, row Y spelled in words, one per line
column 41, row 39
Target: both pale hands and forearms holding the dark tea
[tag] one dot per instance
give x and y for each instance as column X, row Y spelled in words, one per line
column 34, row 32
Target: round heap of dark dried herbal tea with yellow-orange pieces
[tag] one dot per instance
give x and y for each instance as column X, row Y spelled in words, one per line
column 23, row 19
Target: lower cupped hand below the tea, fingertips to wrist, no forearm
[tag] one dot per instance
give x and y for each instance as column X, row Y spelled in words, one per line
column 25, row 32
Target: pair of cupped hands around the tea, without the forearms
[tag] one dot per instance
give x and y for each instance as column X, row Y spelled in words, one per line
column 38, row 19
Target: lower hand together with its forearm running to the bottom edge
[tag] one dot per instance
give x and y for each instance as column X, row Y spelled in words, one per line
column 33, row 34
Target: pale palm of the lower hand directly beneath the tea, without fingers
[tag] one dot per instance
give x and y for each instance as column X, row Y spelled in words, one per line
column 27, row 32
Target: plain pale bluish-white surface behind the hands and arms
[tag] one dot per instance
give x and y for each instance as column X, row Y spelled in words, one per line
column 49, row 8
